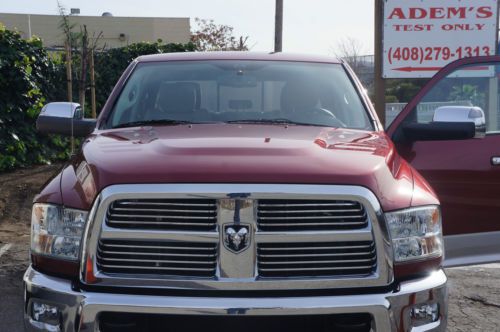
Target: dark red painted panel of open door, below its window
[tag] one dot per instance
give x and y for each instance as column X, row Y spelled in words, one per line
column 461, row 173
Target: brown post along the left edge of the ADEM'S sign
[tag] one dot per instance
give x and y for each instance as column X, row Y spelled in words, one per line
column 379, row 81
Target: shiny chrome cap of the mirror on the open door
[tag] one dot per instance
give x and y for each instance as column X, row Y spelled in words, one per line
column 472, row 114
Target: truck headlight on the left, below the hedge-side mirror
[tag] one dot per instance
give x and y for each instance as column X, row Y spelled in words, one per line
column 57, row 231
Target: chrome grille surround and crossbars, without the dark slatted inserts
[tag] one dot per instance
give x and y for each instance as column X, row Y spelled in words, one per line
column 240, row 271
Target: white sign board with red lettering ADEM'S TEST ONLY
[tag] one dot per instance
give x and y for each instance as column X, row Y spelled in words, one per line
column 422, row 36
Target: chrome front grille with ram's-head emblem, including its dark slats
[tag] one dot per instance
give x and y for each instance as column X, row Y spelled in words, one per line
column 237, row 237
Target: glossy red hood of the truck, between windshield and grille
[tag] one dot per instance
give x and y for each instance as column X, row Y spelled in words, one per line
column 232, row 153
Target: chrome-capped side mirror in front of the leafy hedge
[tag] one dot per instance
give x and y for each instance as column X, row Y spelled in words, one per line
column 64, row 118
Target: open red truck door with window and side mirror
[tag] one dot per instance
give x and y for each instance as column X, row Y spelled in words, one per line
column 450, row 133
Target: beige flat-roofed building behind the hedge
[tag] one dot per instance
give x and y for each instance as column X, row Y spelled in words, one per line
column 116, row 31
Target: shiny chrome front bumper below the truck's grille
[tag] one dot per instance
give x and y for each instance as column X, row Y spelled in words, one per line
column 390, row 311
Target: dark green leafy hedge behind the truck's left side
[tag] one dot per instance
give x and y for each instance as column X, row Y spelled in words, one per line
column 30, row 78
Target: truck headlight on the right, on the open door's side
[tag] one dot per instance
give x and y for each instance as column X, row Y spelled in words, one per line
column 416, row 233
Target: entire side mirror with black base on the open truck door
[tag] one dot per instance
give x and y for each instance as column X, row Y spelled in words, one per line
column 449, row 123
